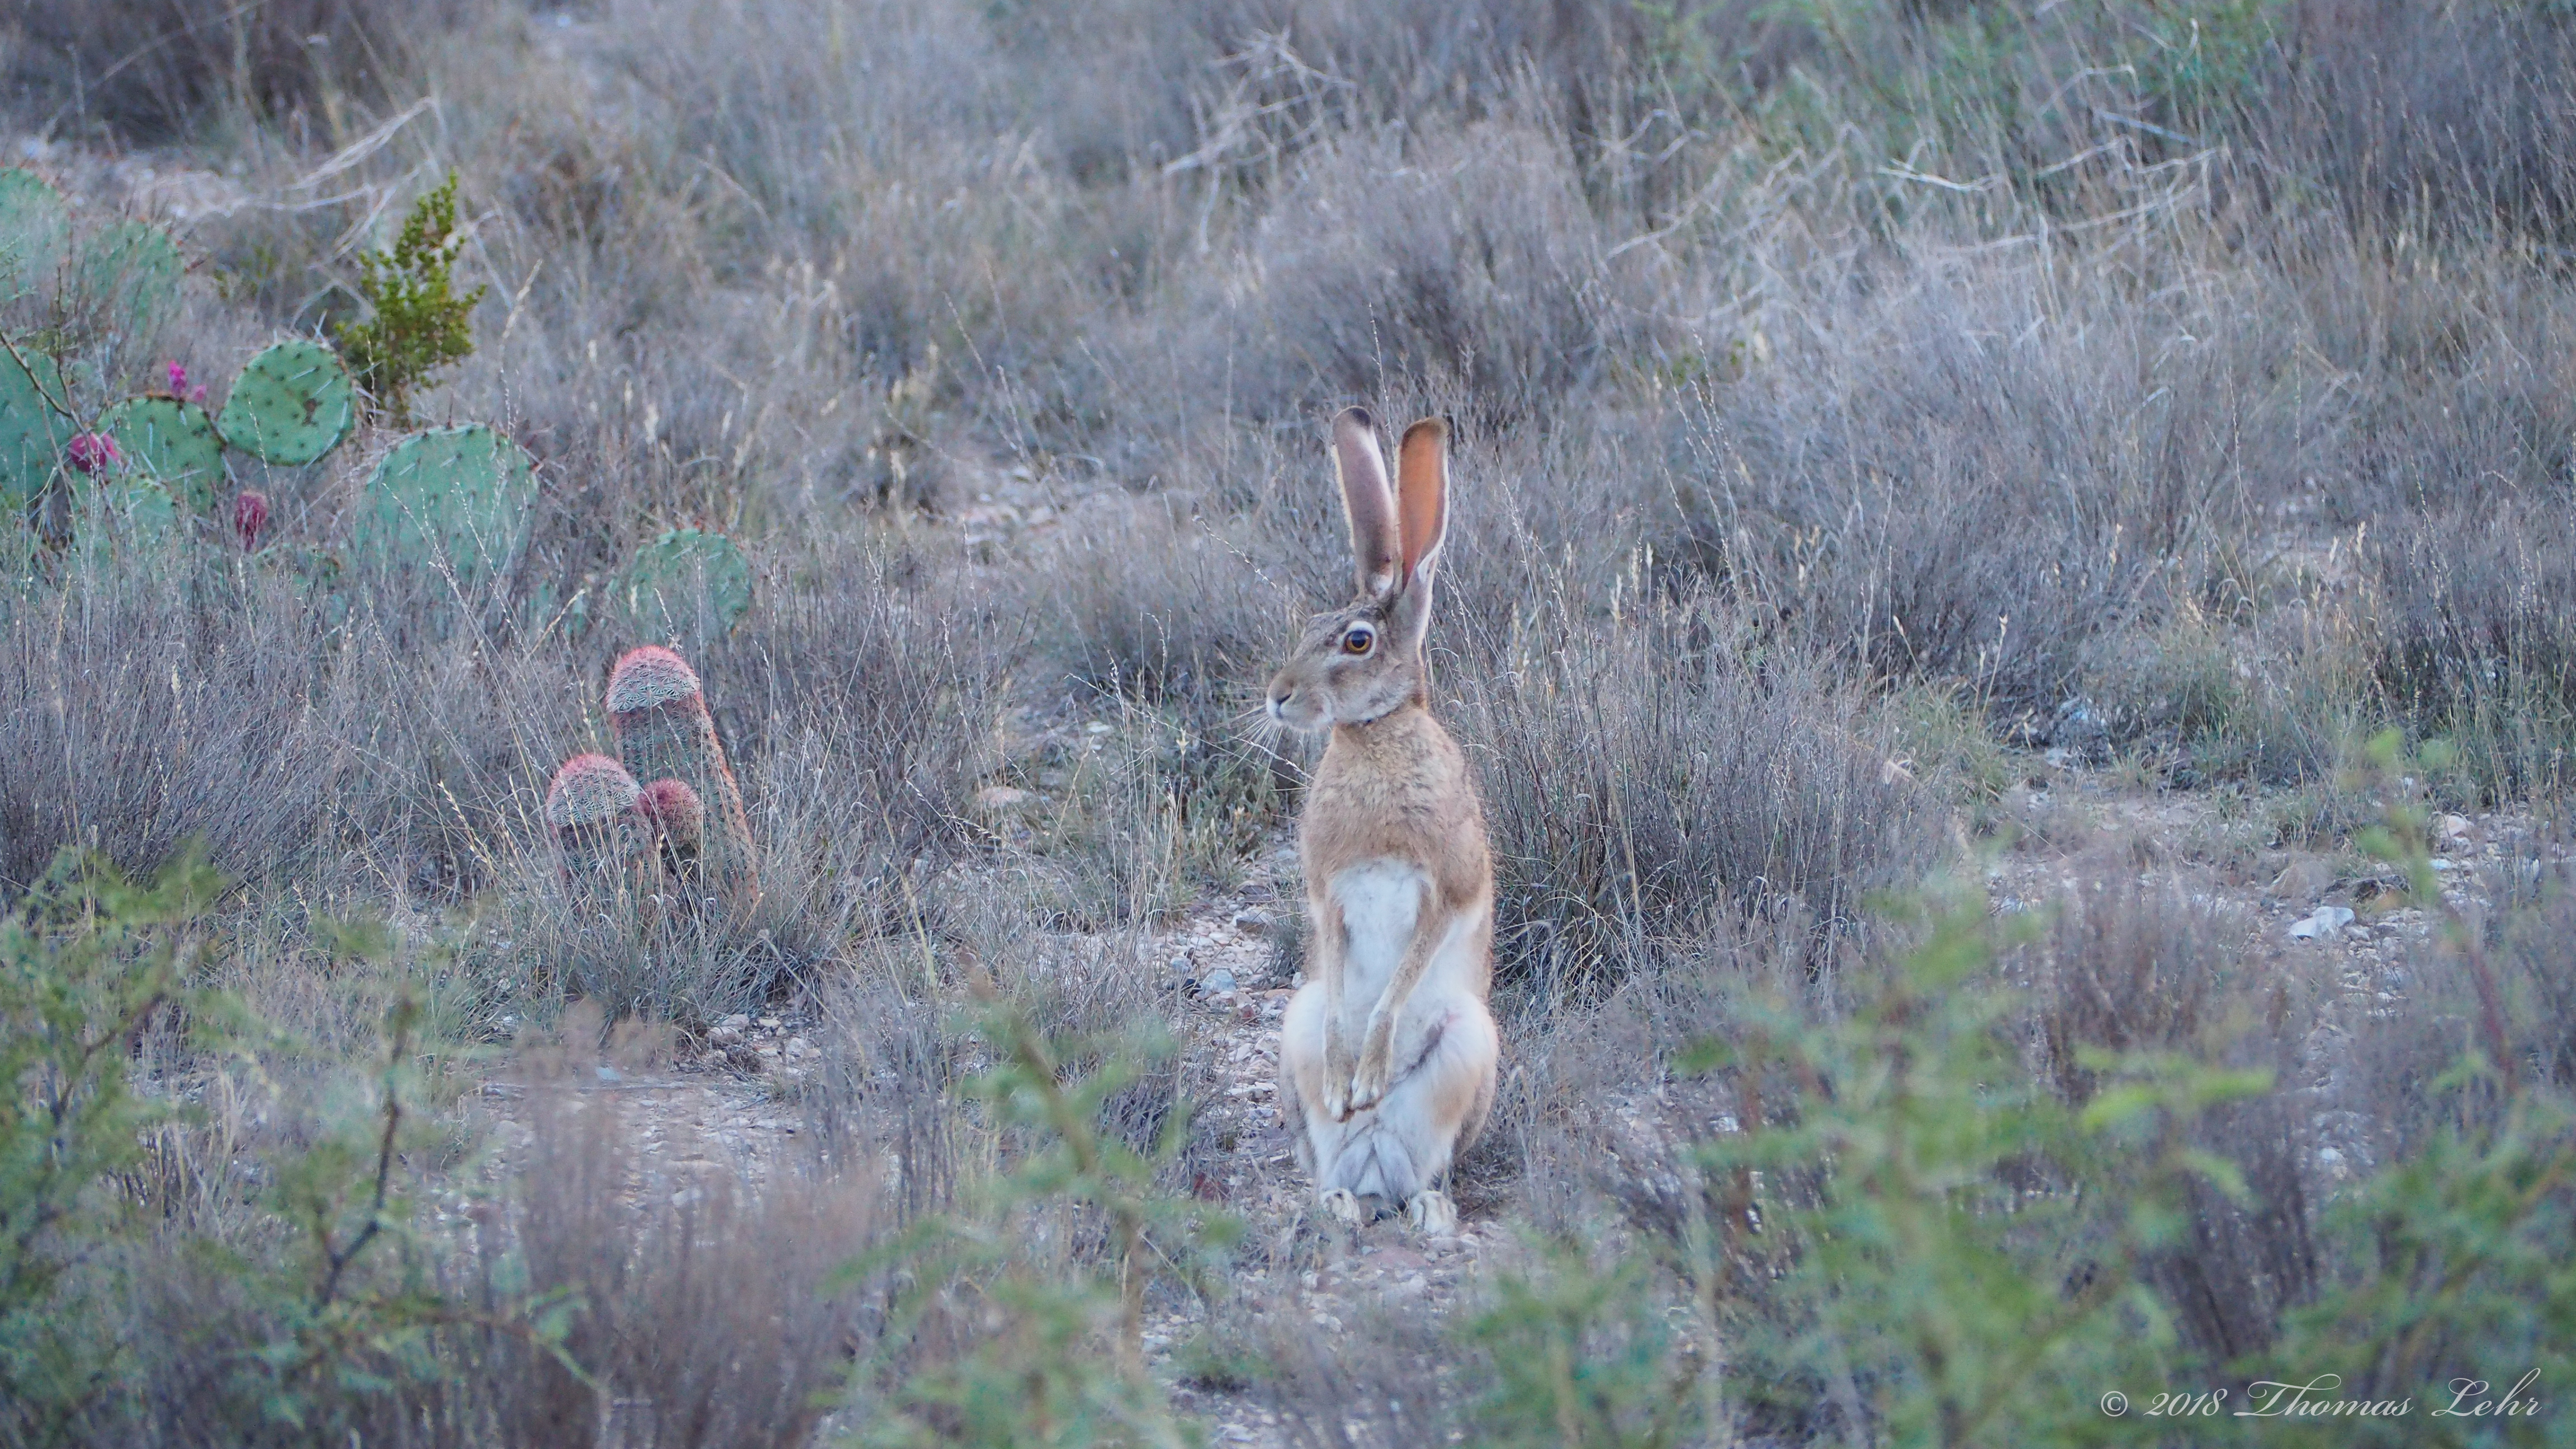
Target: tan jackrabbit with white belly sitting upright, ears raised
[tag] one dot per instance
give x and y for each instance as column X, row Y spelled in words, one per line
column 1387, row 1056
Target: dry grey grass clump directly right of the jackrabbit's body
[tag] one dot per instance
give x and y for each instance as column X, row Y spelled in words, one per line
column 1645, row 777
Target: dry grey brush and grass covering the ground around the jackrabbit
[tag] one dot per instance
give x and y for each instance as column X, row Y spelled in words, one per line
column 1853, row 404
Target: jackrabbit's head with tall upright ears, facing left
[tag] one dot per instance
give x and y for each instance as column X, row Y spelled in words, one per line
column 1367, row 661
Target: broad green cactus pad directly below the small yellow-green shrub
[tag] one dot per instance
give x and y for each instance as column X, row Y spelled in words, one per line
column 457, row 496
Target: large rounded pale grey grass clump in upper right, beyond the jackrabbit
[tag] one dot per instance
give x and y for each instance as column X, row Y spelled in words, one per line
column 1969, row 476
